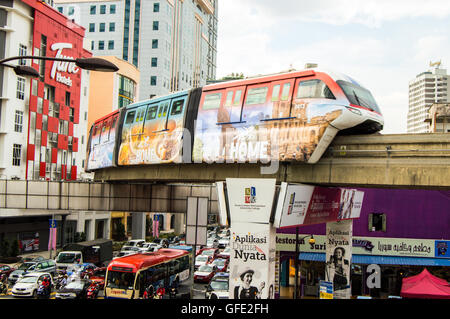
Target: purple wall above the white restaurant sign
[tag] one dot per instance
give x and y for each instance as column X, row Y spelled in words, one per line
column 420, row 214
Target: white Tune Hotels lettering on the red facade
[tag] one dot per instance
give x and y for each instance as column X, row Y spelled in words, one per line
column 61, row 70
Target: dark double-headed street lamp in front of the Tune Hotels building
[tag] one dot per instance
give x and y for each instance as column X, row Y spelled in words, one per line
column 92, row 64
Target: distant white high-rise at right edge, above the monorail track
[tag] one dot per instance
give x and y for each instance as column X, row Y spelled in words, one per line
column 432, row 86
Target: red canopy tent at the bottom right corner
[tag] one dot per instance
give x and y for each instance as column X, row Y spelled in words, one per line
column 425, row 285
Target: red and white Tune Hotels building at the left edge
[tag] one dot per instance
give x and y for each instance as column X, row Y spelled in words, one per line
column 41, row 134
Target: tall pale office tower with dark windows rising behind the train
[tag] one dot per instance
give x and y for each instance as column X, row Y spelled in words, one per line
column 172, row 42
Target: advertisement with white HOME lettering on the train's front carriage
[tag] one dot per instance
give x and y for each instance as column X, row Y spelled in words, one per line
column 266, row 131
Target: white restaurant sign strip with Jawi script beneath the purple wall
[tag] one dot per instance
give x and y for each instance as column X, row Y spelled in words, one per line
column 375, row 246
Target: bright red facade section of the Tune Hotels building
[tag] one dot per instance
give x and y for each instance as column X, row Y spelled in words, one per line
column 54, row 108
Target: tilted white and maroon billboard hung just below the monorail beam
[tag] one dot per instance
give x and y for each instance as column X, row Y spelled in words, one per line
column 305, row 205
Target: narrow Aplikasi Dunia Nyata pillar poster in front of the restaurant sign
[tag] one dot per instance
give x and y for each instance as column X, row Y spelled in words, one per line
column 339, row 257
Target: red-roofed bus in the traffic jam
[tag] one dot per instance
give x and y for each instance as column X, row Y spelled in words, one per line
column 129, row 276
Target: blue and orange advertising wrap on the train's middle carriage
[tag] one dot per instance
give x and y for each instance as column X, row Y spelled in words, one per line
column 153, row 133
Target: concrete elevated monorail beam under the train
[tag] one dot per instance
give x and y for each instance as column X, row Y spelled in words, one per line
column 394, row 161
